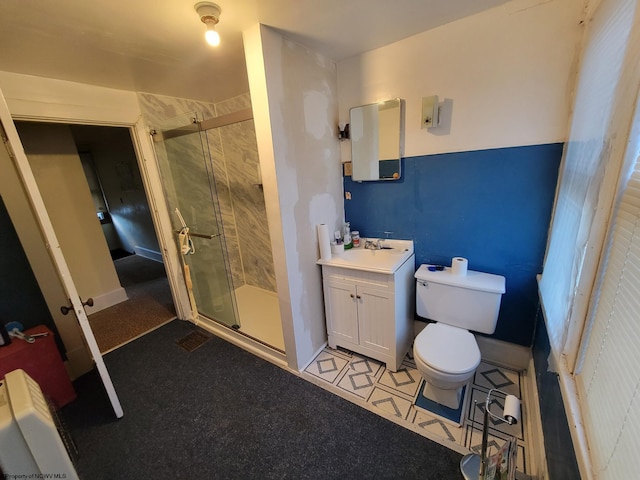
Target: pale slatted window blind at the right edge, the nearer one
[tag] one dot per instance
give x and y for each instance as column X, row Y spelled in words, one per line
column 609, row 380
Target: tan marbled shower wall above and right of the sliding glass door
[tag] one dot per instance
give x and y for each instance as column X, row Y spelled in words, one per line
column 234, row 153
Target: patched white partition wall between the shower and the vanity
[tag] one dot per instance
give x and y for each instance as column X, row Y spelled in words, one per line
column 294, row 100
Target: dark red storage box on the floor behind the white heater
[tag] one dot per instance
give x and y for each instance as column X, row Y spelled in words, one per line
column 42, row 361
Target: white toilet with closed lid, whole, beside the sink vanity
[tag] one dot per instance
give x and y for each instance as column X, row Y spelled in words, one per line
column 446, row 352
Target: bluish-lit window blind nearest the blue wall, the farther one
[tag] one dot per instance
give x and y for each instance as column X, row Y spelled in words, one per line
column 583, row 163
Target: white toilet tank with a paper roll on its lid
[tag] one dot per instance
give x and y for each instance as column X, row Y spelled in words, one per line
column 470, row 301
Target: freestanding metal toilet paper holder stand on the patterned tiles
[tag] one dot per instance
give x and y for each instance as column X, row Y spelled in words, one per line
column 472, row 465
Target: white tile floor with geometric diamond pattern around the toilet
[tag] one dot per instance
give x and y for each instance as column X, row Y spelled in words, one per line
column 363, row 379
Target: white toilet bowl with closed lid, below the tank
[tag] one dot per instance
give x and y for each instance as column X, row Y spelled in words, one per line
column 447, row 358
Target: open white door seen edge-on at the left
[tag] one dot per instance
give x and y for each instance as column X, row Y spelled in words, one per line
column 16, row 151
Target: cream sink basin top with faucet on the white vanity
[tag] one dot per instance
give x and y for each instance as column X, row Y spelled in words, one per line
column 385, row 260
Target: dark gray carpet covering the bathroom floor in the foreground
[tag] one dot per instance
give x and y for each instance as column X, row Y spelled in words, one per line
column 222, row 413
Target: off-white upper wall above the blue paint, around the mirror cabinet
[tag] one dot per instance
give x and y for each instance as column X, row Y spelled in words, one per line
column 509, row 72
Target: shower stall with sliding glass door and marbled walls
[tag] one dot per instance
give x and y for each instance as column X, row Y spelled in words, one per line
column 212, row 185
